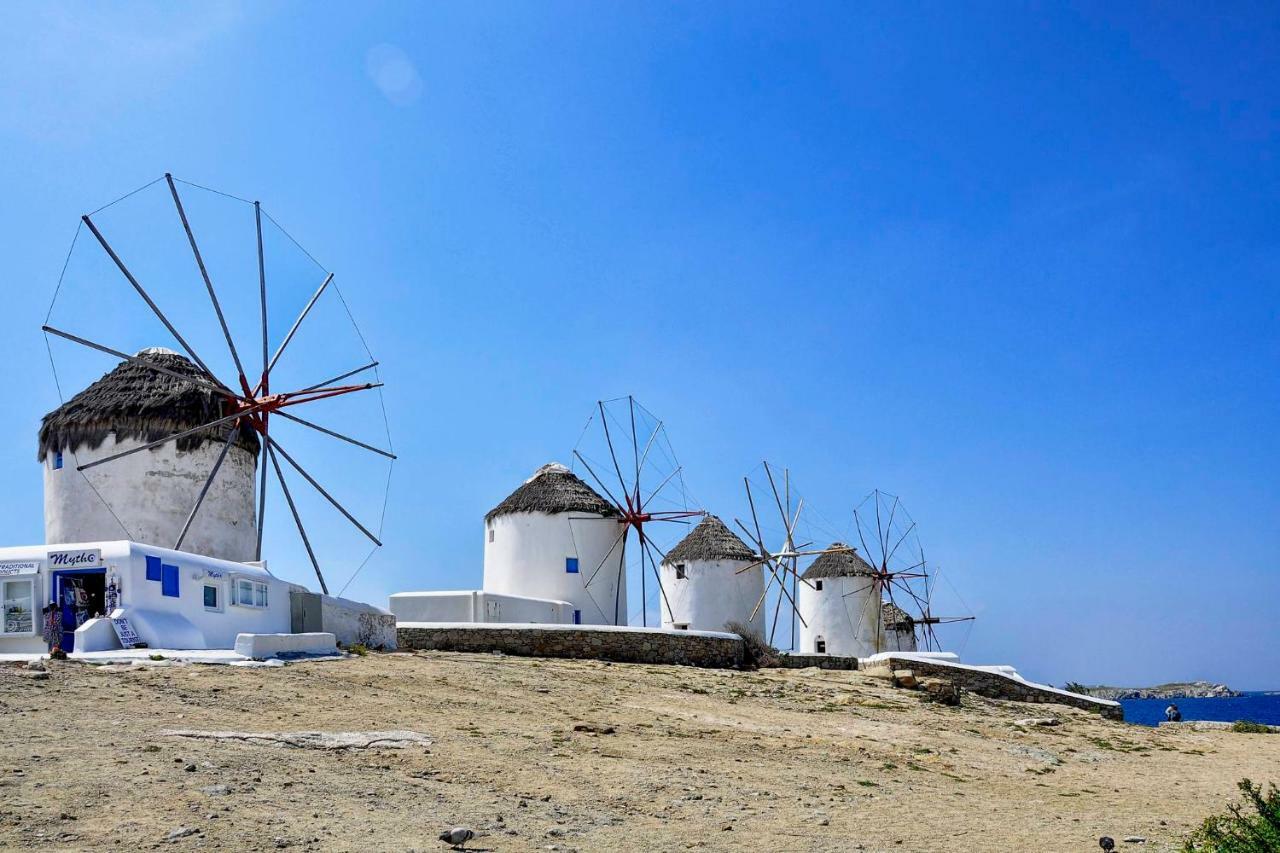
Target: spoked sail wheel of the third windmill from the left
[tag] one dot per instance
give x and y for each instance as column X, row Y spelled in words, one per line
column 783, row 562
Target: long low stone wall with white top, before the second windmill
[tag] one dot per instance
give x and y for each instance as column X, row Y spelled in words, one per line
column 598, row 642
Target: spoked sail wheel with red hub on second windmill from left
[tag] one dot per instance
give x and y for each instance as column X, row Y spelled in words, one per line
column 625, row 451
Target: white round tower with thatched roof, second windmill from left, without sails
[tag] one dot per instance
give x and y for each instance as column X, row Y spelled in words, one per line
column 555, row 539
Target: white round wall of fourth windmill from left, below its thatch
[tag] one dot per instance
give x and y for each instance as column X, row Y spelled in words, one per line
column 844, row 614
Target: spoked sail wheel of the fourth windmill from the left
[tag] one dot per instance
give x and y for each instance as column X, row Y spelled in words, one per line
column 890, row 541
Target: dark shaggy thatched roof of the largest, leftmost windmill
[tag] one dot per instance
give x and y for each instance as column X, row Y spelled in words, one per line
column 136, row 403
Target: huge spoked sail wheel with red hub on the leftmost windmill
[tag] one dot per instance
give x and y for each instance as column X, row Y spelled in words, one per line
column 136, row 268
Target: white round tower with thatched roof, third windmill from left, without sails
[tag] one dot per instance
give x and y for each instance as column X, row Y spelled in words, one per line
column 711, row 578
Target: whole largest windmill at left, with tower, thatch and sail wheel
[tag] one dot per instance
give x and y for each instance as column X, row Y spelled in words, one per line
column 164, row 449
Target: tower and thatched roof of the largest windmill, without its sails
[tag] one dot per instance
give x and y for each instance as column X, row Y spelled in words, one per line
column 149, row 496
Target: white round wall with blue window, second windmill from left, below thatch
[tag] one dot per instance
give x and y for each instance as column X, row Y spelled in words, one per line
column 525, row 553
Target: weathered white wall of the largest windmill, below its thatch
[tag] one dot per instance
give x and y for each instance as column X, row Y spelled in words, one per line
column 148, row 496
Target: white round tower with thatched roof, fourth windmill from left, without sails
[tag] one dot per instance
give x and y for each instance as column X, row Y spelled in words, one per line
column 840, row 605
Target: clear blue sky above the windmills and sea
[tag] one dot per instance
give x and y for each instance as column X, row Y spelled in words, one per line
column 1016, row 264
